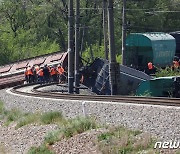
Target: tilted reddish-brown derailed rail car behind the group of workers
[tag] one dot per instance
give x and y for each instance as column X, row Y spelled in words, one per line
column 13, row 74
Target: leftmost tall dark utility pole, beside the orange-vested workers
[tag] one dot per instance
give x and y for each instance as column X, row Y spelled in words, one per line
column 70, row 48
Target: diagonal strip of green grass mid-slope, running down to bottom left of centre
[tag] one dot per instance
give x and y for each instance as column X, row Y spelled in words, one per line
column 69, row 128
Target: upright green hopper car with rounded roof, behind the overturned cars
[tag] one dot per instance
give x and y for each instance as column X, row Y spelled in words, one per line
column 141, row 48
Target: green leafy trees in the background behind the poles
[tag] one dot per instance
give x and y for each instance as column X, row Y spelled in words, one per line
column 34, row 27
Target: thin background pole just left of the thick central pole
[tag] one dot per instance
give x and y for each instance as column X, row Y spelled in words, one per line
column 105, row 28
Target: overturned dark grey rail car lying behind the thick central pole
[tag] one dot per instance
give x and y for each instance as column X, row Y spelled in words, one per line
column 97, row 78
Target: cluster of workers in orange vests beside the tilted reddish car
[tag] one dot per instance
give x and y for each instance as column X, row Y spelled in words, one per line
column 46, row 74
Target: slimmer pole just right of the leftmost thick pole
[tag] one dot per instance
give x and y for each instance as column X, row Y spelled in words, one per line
column 77, row 77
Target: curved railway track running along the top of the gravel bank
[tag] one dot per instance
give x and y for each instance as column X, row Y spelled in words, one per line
column 122, row 99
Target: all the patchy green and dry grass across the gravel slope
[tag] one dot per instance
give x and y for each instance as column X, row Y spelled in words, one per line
column 114, row 140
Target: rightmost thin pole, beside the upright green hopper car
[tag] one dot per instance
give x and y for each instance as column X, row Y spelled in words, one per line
column 124, row 33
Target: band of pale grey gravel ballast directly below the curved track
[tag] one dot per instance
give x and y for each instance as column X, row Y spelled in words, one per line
column 160, row 121
